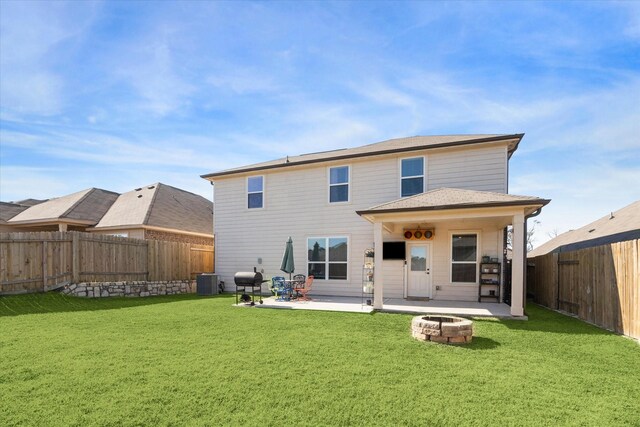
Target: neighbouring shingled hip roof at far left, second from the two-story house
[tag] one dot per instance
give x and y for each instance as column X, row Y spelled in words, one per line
column 83, row 207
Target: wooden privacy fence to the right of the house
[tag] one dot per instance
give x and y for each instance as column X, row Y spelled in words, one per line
column 600, row 284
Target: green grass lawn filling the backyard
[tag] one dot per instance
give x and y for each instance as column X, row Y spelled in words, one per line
column 185, row 360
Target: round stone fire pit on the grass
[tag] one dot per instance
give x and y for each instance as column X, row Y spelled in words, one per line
column 447, row 329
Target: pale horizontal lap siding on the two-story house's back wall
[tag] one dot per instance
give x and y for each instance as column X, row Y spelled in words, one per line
column 296, row 204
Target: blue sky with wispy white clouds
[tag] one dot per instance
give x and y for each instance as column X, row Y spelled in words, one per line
column 121, row 94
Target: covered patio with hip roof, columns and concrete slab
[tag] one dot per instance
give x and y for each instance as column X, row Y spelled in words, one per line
column 444, row 283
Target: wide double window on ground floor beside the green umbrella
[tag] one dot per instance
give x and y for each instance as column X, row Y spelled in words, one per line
column 328, row 257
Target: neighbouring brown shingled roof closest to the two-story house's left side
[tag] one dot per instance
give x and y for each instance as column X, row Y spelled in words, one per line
column 162, row 206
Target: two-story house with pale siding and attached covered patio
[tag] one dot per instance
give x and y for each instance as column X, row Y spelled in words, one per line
column 431, row 207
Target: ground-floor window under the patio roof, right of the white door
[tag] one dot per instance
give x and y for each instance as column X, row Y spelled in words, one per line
column 464, row 257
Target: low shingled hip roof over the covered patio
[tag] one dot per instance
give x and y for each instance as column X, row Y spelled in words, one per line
column 453, row 198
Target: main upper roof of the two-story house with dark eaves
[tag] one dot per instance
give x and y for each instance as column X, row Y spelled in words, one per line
column 398, row 145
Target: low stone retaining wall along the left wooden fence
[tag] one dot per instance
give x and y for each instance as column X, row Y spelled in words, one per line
column 129, row 289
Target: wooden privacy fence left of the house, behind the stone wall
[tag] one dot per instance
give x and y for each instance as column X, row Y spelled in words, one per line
column 41, row 261
